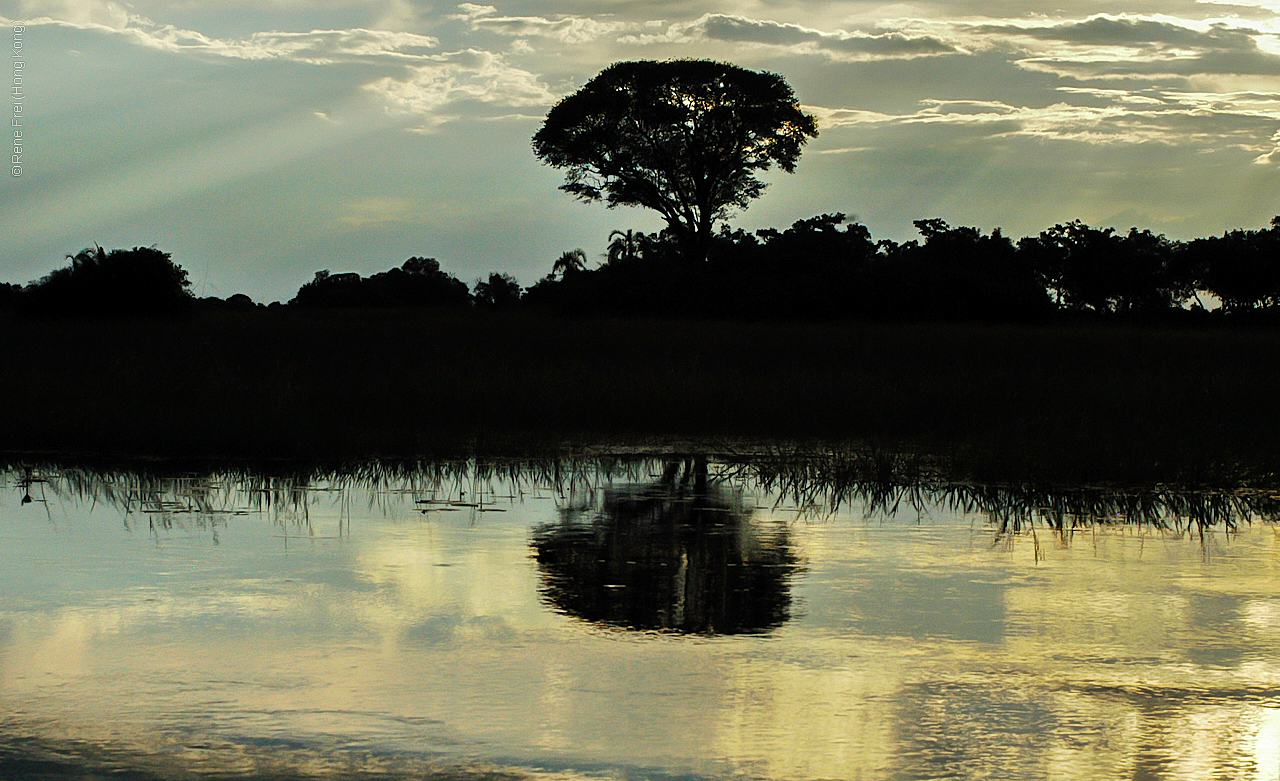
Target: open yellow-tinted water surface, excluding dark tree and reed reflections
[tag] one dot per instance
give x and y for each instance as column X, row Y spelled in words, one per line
column 920, row 646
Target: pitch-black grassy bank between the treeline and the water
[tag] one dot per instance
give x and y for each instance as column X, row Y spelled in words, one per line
column 1086, row 403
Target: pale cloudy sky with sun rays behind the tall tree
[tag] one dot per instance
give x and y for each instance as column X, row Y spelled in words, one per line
column 260, row 141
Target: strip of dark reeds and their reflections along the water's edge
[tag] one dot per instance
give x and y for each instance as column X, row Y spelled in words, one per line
column 819, row 483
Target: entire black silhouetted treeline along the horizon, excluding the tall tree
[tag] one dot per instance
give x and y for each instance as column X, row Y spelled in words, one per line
column 817, row 268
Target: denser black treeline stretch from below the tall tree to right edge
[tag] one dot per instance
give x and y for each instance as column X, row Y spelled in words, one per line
column 825, row 268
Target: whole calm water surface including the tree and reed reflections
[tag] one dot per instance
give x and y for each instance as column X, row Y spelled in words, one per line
column 646, row 618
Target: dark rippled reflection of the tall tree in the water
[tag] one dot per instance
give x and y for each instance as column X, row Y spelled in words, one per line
column 678, row 555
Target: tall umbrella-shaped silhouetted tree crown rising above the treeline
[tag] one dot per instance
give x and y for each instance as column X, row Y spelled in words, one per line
column 683, row 138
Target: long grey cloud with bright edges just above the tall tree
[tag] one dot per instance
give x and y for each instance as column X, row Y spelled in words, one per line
column 799, row 40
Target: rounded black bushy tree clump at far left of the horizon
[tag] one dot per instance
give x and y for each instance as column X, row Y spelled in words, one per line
column 139, row 282
